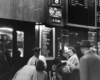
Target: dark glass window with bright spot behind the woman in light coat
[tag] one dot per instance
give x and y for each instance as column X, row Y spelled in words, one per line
column 69, row 38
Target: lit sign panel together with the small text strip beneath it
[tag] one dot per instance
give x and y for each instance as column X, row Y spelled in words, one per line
column 55, row 16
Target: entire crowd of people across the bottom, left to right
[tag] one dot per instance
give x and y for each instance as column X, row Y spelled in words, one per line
column 72, row 68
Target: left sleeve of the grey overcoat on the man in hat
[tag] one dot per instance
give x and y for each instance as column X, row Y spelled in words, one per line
column 83, row 69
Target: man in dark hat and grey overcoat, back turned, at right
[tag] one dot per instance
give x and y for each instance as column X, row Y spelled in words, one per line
column 89, row 63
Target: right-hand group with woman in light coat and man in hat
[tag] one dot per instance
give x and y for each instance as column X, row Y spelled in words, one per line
column 85, row 68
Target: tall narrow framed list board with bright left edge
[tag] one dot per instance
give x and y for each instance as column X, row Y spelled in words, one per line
column 47, row 42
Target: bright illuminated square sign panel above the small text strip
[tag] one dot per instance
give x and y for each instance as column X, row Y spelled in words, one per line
column 55, row 12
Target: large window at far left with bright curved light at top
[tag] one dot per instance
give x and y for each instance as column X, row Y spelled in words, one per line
column 6, row 42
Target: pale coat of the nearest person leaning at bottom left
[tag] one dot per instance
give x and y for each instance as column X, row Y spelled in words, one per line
column 29, row 72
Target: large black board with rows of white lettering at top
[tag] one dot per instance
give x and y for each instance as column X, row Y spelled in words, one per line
column 78, row 12
